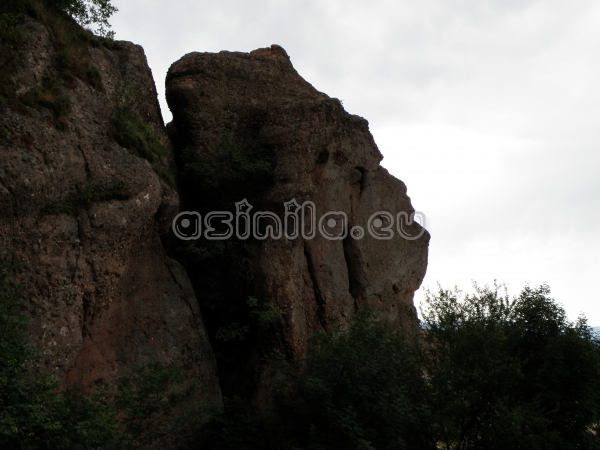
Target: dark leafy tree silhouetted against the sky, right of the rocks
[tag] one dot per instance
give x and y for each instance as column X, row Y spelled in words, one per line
column 510, row 373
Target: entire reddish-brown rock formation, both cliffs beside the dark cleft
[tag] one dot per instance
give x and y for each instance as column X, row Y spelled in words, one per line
column 87, row 202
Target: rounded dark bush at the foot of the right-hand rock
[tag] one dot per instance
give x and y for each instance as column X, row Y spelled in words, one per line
column 359, row 388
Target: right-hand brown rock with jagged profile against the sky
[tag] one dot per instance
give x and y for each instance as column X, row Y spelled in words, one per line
column 323, row 155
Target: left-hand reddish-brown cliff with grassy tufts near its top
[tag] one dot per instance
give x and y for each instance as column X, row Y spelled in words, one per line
column 86, row 215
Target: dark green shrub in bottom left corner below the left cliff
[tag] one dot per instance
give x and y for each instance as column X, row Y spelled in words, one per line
column 33, row 414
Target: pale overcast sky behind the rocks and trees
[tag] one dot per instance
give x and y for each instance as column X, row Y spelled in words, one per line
column 487, row 110
